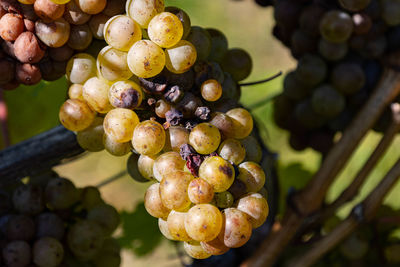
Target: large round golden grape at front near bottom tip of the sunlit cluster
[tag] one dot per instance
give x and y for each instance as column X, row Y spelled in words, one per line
column 203, row 222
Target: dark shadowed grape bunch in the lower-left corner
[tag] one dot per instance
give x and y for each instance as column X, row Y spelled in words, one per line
column 48, row 222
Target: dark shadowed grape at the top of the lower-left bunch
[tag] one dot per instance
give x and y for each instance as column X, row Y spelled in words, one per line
column 61, row 194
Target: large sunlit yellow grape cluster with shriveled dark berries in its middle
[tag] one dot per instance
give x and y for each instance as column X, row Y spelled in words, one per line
column 168, row 92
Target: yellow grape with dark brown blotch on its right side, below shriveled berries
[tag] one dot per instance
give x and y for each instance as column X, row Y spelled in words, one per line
column 217, row 172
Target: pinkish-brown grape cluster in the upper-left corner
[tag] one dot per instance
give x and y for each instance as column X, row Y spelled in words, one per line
column 38, row 37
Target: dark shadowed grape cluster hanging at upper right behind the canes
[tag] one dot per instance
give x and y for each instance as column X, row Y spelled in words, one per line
column 340, row 46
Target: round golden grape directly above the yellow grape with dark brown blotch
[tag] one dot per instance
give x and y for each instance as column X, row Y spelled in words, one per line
column 205, row 138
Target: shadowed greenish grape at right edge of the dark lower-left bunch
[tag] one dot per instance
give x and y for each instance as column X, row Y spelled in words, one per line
column 106, row 216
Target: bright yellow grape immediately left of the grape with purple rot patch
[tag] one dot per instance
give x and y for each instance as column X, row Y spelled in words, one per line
column 95, row 93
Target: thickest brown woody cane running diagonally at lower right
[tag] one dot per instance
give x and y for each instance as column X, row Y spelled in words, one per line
column 310, row 199
